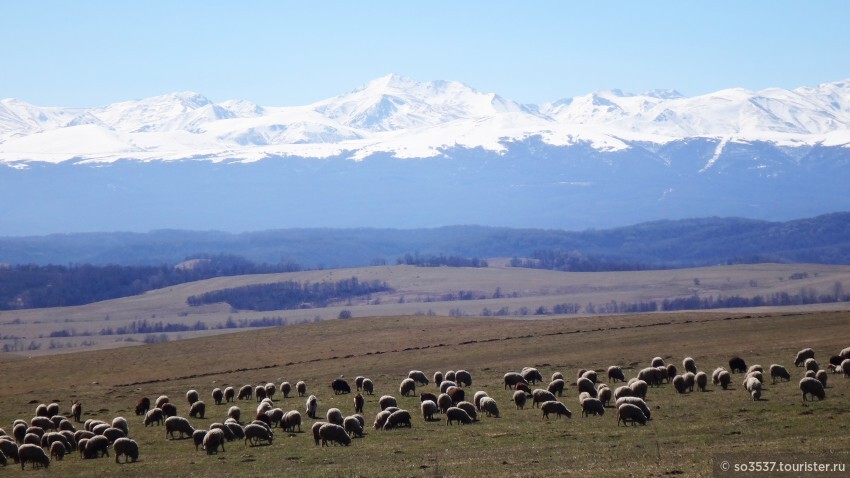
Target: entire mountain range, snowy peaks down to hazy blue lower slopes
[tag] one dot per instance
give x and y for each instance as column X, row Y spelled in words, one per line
column 397, row 153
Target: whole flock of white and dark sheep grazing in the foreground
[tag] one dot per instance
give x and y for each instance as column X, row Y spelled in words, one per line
column 51, row 436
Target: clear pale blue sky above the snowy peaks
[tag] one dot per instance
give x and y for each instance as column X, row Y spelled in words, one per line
column 91, row 53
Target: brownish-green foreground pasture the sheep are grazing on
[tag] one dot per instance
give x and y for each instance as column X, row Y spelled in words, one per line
column 685, row 432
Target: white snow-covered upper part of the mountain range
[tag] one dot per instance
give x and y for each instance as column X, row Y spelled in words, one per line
column 404, row 118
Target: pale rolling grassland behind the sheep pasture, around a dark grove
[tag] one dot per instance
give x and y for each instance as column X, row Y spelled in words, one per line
column 417, row 291
